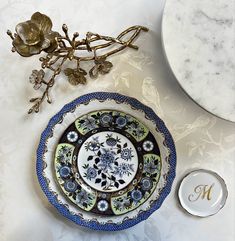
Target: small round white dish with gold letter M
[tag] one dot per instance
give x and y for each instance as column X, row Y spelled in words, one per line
column 202, row 193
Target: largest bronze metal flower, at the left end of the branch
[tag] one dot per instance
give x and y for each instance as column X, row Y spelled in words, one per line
column 35, row 35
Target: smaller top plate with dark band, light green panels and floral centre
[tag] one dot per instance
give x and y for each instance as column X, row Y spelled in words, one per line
column 107, row 162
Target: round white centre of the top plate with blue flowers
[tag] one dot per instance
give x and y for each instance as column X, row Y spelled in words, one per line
column 107, row 161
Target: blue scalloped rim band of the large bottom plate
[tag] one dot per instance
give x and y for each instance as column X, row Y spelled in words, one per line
column 136, row 104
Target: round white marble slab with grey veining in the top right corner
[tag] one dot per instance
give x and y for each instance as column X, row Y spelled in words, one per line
column 199, row 41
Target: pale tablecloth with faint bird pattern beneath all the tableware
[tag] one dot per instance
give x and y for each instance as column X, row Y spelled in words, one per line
column 202, row 140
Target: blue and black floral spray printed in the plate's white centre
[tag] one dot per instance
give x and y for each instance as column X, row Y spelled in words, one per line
column 108, row 157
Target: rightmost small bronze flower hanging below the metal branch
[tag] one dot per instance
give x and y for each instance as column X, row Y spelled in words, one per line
column 102, row 66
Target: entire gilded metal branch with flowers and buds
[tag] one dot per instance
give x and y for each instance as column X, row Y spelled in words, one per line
column 36, row 35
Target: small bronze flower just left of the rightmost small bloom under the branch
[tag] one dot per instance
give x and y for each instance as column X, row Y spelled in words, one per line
column 76, row 76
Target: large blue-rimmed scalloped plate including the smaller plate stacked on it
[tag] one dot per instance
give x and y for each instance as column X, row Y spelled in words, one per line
column 106, row 161
